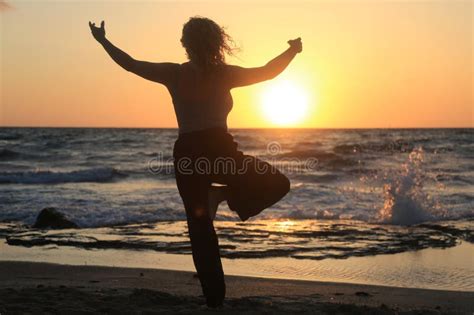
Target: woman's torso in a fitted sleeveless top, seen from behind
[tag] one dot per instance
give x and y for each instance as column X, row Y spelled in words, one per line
column 201, row 99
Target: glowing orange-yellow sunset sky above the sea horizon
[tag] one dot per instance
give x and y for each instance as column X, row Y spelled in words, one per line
column 365, row 64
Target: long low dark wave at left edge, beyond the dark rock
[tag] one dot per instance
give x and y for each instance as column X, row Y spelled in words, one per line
column 52, row 177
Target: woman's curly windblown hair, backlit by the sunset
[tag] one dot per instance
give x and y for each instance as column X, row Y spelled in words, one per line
column 206, row 42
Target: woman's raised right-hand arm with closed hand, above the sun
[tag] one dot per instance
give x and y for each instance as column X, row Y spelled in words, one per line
column 239, row 76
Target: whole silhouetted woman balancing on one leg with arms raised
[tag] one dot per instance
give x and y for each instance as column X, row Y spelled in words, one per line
column 205, row 152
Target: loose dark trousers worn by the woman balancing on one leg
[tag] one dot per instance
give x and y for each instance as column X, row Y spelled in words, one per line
column 211, row 156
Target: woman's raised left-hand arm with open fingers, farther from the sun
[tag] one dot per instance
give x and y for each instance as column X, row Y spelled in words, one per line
column 162, row 72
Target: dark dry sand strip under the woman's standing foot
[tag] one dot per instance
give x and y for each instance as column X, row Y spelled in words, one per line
column 30, row 287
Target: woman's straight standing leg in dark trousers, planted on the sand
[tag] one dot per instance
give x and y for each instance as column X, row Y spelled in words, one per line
column 205, row 248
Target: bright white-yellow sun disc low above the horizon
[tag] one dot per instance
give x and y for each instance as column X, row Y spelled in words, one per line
column 284, row 103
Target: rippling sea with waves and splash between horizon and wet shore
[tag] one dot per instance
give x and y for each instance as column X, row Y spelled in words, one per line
column 354, row 192
